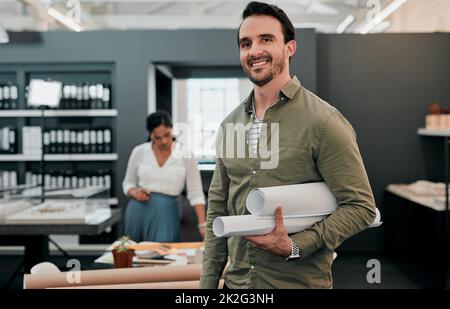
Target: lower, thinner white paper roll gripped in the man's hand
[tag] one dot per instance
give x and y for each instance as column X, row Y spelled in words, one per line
column 252, row 225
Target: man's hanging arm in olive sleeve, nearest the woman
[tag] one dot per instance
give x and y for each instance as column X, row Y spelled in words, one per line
column 215, row 255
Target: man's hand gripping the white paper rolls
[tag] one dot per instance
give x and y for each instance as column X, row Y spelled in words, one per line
column 277, row 241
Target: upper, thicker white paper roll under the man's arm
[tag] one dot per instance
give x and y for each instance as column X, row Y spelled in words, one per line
column 295, row 199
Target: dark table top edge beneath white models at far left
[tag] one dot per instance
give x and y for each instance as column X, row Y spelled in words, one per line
column 62, row 229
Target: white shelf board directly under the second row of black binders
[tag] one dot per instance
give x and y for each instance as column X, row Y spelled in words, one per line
column 61, row 157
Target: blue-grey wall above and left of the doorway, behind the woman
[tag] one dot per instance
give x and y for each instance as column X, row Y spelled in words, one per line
column 132, row 52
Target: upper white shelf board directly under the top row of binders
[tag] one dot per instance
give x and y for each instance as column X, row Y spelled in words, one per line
column 60, row 113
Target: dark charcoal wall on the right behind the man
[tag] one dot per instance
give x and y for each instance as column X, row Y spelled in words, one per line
column 383, row 84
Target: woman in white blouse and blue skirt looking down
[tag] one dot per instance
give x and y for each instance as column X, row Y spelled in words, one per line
column 153, row 181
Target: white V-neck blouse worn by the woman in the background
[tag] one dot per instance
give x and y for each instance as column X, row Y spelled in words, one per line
column 144, row 171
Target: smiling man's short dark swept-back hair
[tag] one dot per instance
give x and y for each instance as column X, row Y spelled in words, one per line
column 255, row 8
